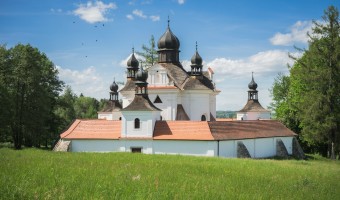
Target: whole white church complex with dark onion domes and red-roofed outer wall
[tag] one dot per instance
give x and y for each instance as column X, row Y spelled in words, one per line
column 168, row 110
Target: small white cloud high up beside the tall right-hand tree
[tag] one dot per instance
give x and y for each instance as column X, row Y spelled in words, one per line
column 297, row 34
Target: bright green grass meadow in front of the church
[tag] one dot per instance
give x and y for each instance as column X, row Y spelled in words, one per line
column 38, row 174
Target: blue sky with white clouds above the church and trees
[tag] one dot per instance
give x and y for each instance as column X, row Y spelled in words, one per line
column 90, row 41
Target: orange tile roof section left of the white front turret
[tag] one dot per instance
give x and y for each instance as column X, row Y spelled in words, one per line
column 93, row 129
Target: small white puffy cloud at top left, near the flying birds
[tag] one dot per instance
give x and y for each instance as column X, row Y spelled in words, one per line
column 94, row 12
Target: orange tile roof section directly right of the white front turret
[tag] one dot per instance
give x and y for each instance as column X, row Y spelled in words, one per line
column 182, row 130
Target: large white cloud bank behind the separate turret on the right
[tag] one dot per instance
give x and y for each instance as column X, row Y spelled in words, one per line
column 233, row 75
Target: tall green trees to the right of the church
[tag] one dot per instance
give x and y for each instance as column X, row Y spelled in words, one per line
column 307, row 100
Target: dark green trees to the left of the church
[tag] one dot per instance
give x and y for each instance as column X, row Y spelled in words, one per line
column 33, row 110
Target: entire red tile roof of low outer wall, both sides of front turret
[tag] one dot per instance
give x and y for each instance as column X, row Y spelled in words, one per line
column 182, row 130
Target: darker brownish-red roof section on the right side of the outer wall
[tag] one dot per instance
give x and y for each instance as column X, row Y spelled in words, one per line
column 232, row 130
